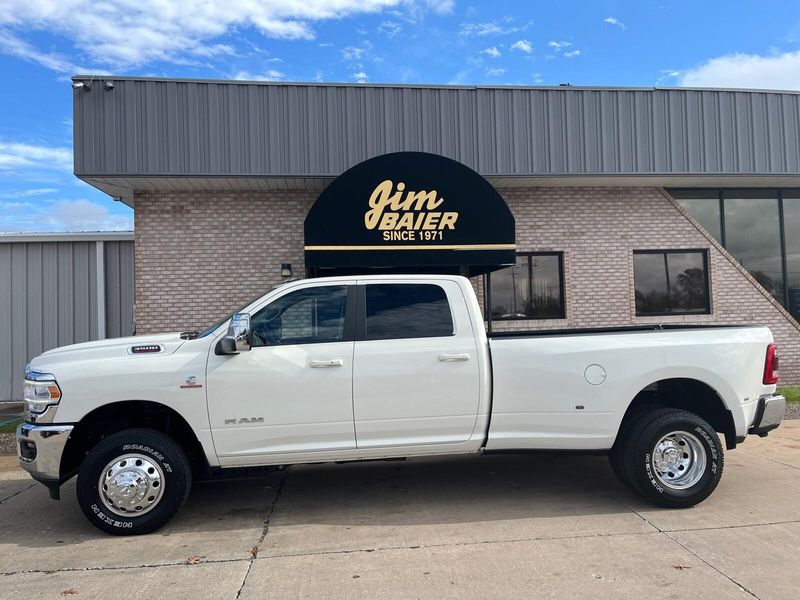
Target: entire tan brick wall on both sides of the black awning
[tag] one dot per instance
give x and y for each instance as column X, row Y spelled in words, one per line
column 199, row 256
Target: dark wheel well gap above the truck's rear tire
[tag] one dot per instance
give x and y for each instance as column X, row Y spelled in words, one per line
column 687, row 394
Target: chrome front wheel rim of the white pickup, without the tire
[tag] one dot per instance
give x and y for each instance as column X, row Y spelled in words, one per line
column 131, row 485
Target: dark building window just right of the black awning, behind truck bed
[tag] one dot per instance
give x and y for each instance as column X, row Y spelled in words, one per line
column 531, row 289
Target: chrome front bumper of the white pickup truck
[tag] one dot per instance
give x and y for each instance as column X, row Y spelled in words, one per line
column 39, row 448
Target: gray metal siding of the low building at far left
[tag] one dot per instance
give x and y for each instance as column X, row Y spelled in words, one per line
column 48, row 298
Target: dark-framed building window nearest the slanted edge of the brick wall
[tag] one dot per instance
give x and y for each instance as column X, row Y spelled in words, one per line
column 671, row 282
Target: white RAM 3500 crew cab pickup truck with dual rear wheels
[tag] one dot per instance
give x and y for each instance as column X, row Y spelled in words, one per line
column 376, row 367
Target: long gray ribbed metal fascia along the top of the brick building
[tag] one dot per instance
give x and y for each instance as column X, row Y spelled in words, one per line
column 188, row 128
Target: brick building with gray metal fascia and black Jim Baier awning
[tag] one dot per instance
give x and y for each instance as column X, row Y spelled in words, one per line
column 627, row 206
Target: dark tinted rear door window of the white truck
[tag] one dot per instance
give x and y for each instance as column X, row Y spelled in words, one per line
column 396, row 311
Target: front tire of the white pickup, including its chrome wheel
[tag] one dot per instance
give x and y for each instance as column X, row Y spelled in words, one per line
column 133, row 482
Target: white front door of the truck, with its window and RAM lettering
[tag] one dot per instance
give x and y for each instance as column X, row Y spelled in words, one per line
column 292, row 391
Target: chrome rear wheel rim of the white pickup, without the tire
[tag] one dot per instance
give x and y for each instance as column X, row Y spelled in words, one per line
column 679, row 460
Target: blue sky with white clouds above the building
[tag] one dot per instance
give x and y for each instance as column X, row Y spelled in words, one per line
column 627, row 43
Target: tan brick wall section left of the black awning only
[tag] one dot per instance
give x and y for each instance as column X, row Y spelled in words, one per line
column 200, row 256
